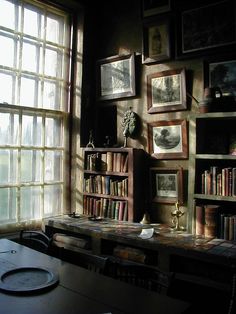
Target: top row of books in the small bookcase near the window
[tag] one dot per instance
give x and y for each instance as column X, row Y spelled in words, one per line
column 109, row 161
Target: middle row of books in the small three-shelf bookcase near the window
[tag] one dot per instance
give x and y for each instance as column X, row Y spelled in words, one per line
column 100, row 184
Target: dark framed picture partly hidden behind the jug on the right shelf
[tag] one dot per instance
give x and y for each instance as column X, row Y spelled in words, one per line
column 221, row 74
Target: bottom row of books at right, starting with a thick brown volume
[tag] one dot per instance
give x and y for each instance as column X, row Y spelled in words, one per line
column 212, row 221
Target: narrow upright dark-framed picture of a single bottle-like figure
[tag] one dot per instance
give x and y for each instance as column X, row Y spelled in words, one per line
column 156, row 41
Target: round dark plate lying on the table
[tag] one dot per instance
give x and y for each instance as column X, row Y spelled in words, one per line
column 27, row 279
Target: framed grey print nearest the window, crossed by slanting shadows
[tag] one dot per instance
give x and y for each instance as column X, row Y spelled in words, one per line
column 116, row 77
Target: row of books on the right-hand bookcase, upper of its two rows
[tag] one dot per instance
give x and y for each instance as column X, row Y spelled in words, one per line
column 219, row 181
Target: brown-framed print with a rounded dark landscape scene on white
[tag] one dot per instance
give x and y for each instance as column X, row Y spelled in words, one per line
column 168, row 139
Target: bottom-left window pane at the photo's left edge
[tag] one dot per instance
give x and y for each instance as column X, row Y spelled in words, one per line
column 8, row 204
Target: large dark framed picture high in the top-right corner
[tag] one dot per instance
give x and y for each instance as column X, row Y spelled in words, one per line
column 207, row 28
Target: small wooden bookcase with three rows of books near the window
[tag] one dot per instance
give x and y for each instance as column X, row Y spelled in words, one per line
column 114, row 183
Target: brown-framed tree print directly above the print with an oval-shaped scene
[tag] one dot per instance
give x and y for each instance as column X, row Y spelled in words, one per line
column 166, row 91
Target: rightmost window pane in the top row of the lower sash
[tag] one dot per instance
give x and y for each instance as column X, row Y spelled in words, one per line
column 53, row 132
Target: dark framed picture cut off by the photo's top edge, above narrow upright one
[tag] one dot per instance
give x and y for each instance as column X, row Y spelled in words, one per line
column 153, row 7
